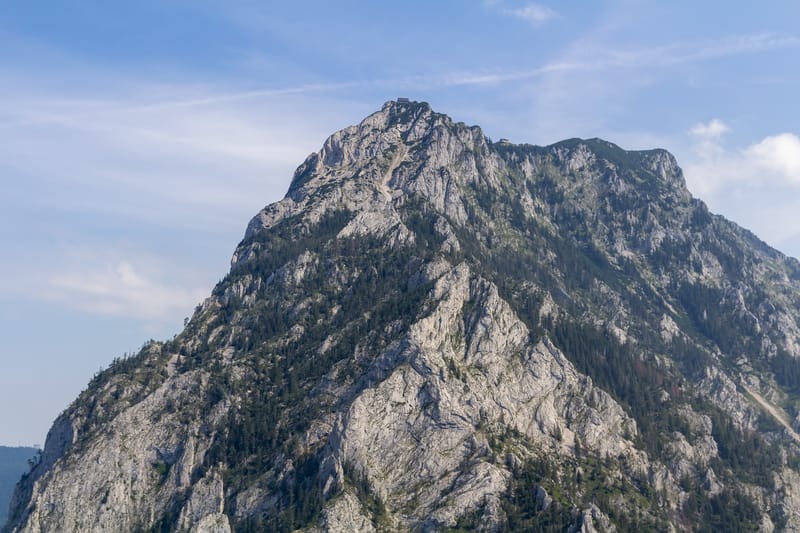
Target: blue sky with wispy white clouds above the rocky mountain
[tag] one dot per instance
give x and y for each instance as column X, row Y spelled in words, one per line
column 138, row 138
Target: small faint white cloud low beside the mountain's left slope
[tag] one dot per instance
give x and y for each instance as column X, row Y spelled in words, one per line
column 103, row 279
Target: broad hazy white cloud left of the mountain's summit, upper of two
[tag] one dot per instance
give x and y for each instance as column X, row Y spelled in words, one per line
column 215, row 153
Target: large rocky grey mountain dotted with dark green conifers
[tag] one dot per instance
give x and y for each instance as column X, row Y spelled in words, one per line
column 436, row 332
